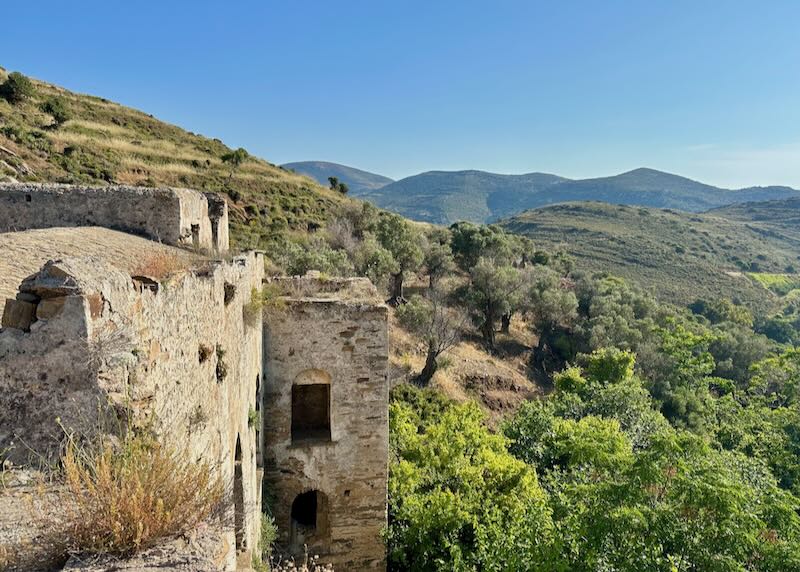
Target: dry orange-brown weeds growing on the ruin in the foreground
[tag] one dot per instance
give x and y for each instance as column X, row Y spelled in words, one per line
column 128, row 498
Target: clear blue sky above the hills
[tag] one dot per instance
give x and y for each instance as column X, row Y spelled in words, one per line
column 707, row 89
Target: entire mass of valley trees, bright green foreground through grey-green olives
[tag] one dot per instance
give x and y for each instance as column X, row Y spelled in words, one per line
column 670, row 441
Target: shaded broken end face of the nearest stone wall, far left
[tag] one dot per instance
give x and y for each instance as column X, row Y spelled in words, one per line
column 47, row 376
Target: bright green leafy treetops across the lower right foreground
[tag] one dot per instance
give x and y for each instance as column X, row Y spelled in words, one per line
column 618, row 487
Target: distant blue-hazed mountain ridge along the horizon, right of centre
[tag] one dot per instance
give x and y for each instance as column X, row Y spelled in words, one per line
column 446, row 197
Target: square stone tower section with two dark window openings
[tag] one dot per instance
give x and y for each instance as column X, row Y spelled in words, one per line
column 339, row 341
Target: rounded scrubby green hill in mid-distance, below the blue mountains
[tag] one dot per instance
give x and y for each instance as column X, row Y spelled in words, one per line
column 678, row 256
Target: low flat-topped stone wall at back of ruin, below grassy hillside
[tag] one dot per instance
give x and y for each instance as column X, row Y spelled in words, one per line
column 172, row 216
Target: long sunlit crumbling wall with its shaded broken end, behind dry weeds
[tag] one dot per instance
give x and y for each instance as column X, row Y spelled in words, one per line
column 182, row 357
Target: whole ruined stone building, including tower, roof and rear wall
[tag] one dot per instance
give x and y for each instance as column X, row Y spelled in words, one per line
column 292, row 401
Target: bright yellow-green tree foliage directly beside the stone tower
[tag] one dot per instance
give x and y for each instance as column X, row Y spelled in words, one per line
column 458, row 499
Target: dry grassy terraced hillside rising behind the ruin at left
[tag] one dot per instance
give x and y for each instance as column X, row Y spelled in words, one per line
column 104, row 142
